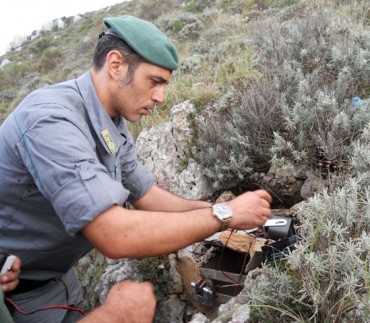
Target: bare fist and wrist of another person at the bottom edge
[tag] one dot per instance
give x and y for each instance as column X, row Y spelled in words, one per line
column 128, row 302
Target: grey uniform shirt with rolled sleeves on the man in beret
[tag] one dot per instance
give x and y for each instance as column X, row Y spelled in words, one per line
column 63, row 161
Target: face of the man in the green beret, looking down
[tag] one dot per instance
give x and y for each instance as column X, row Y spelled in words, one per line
column 146, row 89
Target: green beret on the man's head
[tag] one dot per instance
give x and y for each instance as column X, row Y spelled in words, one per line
column 145, row 39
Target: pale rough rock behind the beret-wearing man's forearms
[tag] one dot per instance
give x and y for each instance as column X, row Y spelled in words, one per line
column 166, row 150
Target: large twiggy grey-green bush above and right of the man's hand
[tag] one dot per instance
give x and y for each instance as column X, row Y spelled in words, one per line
column 300, row 110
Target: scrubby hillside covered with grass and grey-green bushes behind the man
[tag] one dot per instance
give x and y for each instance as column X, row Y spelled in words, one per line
column 277, row 85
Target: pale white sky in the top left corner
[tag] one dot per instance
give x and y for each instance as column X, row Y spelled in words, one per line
column 22, row 17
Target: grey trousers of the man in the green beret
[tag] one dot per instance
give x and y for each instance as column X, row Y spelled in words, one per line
column 65, row 290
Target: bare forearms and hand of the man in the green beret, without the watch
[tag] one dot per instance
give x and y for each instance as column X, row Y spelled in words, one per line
column 125, row 233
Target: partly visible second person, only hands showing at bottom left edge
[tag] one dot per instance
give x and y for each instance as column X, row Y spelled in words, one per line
column 122, row 300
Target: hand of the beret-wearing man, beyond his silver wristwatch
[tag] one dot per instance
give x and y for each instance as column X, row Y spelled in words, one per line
column 250, row 210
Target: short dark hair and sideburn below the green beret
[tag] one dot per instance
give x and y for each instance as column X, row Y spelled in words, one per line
column 108, row 42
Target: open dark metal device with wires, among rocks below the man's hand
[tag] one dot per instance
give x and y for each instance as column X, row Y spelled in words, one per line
column 224, row 274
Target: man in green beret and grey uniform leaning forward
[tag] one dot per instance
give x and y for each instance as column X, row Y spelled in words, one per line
column 68, row 165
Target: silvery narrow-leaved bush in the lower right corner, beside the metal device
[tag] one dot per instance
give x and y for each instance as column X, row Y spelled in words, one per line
column 326, row 278
